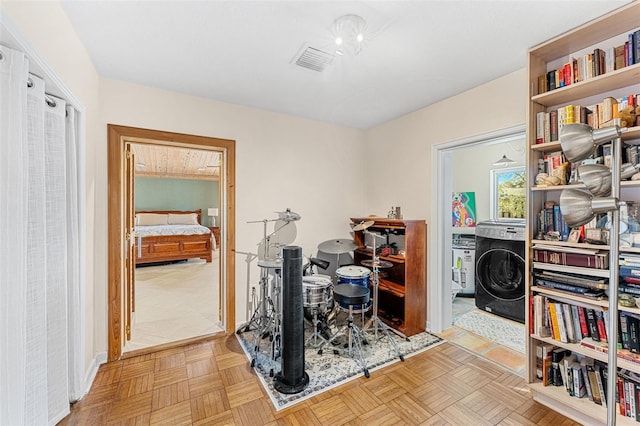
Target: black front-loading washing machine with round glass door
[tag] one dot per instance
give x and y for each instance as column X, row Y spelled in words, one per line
column 500, row 268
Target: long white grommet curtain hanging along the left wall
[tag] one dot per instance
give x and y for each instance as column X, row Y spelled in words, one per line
column 39, row 250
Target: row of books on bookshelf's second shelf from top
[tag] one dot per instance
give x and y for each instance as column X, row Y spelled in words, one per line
column 602, row 114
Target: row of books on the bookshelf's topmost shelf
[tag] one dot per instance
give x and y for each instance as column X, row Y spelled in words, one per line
column 592, row 64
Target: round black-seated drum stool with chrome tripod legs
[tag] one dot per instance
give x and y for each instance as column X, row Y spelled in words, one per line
column 350, row 295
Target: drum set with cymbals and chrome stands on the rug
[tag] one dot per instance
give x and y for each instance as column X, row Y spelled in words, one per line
column 323, row 299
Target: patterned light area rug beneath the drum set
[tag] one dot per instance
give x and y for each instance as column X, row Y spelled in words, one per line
column 328, row 370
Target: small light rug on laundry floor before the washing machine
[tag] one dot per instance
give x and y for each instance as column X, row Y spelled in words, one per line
column 500, row 330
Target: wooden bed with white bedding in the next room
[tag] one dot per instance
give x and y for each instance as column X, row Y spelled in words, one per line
column 169, row 235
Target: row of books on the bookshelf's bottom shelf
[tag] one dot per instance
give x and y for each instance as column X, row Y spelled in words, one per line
column 584, row 377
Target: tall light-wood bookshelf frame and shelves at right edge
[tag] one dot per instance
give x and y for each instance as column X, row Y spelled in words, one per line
column 603, row 33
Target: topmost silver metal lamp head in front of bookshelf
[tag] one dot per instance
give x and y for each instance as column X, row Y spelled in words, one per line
column 579, row 140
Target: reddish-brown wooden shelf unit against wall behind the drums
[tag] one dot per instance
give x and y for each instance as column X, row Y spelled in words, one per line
column 402, row 289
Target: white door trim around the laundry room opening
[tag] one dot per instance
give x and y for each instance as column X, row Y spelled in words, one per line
column 439, row 291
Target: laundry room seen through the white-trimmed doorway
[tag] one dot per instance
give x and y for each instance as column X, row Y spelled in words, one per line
column 487, row 249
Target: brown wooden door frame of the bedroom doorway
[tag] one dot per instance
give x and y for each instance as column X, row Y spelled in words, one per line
column 121, row 292
